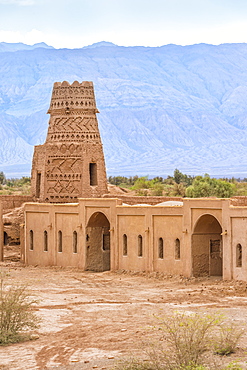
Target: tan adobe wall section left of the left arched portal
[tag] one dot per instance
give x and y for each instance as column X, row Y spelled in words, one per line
column 43, row 224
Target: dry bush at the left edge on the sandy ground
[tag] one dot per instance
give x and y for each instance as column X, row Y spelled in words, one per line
column 16, row 316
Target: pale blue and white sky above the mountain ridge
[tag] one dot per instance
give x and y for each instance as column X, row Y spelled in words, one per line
column 77, row 23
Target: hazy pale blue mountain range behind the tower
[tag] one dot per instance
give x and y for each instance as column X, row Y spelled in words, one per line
column 161, row 108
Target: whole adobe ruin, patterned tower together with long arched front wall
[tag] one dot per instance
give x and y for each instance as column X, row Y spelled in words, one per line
column 74, row 222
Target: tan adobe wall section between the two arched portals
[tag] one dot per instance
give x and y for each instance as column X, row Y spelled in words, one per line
column 151, row 224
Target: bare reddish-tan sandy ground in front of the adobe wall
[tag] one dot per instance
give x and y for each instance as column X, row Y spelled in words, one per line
column 89, row 320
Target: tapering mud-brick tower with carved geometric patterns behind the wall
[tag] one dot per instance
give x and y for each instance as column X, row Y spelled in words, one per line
column 70, row 164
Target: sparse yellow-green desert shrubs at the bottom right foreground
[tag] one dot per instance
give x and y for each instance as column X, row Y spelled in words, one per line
column 187, row 341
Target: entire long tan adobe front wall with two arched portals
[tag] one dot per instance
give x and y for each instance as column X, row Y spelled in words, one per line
column 193, row 234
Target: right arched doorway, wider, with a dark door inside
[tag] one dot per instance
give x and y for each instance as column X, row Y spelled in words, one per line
column 207, row 247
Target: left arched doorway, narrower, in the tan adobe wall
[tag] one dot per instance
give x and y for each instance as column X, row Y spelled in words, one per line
column 98, row 243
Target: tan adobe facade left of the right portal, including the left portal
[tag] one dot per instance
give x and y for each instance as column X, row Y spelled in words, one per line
column 149, row 223
